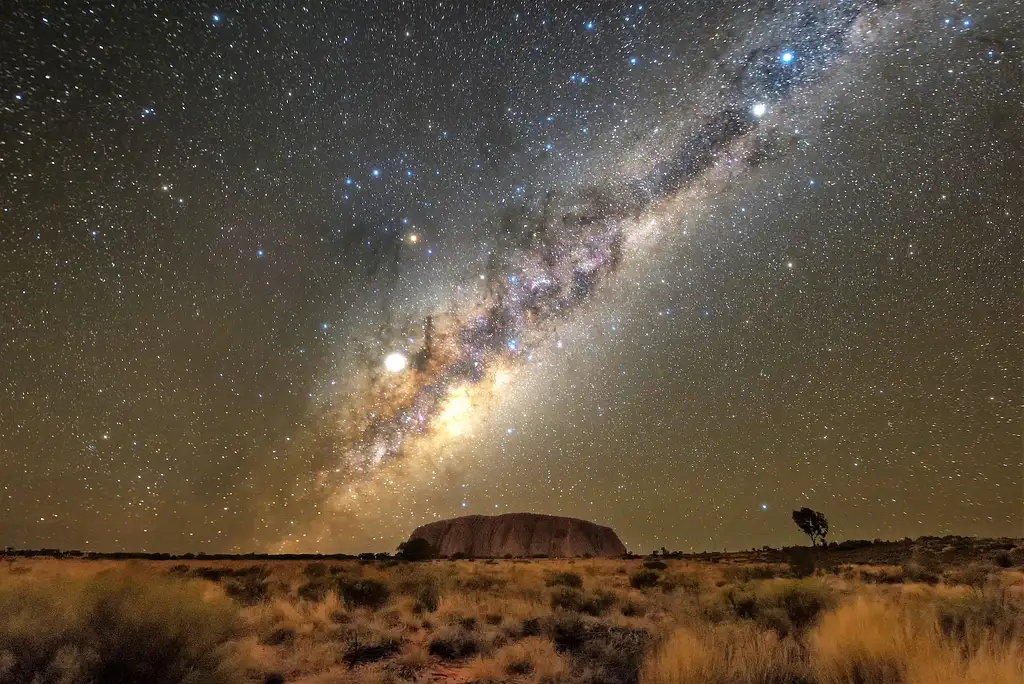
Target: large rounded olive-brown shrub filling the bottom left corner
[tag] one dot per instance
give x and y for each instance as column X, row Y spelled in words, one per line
column 114, row 628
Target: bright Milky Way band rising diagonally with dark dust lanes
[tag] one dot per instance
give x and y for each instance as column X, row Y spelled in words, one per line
column 557, row 256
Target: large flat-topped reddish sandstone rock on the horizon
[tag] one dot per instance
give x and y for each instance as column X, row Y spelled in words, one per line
column 520, row 535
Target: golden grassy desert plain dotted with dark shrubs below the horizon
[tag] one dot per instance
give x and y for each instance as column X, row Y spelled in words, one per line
column 933, row 611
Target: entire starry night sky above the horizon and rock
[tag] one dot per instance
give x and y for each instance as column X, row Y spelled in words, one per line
column 298, row 277
